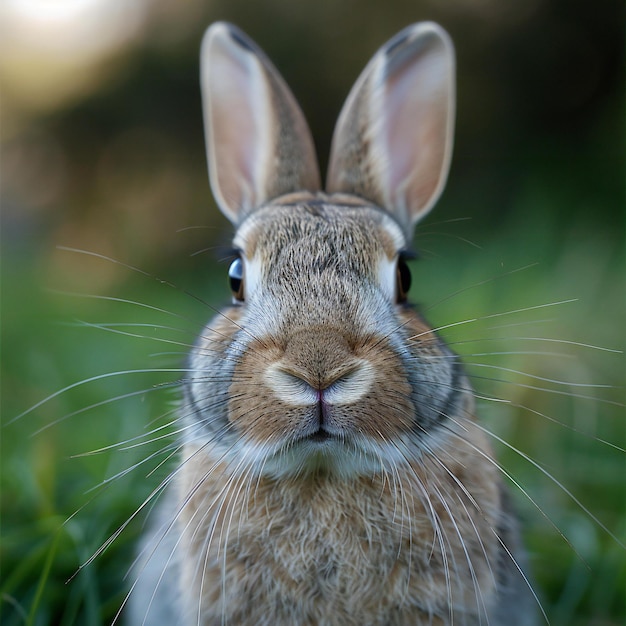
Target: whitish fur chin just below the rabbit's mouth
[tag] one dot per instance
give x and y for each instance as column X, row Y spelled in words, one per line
column 329, row 456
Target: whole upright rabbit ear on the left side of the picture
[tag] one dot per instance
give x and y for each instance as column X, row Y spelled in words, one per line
column 258, row 143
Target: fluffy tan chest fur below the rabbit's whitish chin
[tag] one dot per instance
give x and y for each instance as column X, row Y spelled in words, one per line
column 317, row 550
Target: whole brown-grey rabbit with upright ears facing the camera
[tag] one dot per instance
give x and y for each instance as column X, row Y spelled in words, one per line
column 332, row 470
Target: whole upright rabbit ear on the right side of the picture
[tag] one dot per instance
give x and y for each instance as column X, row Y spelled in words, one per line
column 393, row 140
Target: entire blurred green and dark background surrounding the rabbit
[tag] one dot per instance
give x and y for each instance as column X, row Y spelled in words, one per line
column 102, row 150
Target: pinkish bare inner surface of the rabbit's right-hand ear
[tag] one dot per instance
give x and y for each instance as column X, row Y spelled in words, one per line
column 417, row 110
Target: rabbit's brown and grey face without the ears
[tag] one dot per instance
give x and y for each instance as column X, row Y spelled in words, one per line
column 325, row 369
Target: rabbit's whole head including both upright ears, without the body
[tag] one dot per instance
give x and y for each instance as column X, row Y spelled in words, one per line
column 321, row 364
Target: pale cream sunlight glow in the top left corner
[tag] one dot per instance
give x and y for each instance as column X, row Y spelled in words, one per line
column 51, row 51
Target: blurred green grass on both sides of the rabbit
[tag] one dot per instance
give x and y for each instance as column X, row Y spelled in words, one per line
column 59, row 507
